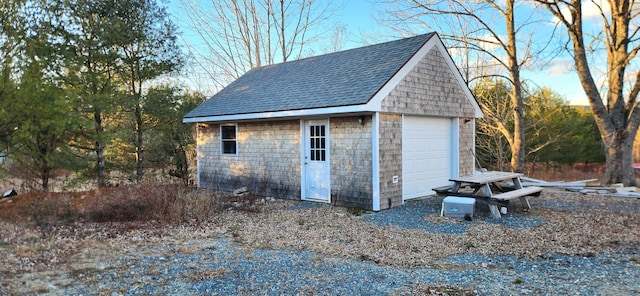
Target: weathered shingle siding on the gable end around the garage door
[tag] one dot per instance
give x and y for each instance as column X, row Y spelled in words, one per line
column 430, row 89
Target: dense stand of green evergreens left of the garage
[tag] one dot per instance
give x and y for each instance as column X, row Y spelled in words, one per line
column 82, row 91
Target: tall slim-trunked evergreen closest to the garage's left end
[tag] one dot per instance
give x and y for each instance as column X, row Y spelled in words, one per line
column 147, row 49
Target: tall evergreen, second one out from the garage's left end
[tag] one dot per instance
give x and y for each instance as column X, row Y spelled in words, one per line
column 86, row 41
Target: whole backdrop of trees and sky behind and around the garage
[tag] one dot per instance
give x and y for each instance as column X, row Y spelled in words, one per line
column 95, row 90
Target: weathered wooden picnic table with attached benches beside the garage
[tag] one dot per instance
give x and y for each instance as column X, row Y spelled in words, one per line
column 488, row 186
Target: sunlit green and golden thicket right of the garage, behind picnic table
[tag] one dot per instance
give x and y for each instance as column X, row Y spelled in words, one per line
column 555, row 132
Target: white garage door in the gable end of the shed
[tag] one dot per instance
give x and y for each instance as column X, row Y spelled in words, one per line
column 426, row 155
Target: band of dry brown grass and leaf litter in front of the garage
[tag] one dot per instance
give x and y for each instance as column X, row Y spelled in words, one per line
column 75, row 240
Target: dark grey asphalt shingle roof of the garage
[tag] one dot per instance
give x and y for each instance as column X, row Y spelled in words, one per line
column 350, row 77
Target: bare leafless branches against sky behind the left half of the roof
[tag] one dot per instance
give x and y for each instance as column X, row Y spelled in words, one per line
column 238, row 35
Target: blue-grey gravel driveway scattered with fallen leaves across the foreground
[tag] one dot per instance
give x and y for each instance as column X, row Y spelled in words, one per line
column 222, row 259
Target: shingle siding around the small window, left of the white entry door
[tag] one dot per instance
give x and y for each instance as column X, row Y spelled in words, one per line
column 268, row 159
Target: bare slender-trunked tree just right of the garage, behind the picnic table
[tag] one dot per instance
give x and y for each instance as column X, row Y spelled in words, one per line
column 502, row 44
